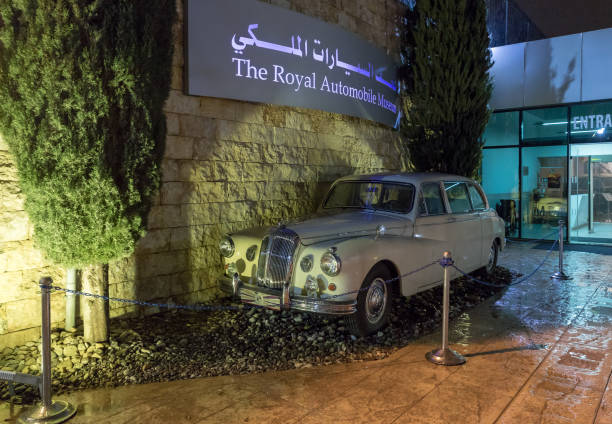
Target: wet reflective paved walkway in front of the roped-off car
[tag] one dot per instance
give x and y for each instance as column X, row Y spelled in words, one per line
column 540, row 352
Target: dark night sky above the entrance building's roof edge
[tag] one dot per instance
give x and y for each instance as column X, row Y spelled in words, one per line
column 561, row 17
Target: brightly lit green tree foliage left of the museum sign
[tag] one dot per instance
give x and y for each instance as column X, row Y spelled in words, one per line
column 82, row 86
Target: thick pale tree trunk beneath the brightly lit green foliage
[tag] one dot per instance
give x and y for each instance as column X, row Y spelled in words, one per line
column 95, row 311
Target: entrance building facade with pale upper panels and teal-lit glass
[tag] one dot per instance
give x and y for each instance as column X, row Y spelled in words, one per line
column 548, row 149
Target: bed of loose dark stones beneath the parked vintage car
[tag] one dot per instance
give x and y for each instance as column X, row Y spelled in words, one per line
column 176, row 345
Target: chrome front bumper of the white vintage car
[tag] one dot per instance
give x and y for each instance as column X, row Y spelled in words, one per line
column 277, row 300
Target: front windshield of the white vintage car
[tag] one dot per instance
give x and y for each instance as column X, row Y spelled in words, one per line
column 371, row 195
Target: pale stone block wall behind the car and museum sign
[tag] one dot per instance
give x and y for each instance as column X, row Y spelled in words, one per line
column 227, row 165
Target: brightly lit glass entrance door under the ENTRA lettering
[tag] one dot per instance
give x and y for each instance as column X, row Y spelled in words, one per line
column 590, row 200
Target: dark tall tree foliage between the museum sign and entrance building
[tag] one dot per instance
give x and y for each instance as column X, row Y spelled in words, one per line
column 446, row 84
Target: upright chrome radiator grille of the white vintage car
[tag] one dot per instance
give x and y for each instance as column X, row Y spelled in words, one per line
column 276, row 258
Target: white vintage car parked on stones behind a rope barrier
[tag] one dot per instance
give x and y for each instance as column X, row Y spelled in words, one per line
column 350, row 257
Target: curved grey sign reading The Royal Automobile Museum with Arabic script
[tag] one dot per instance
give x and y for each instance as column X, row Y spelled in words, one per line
column 248, row 50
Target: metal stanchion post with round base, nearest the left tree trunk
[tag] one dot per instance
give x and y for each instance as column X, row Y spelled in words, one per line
column 47, row 411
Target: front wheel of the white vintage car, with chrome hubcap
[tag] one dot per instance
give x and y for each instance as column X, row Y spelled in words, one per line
column 374, row 302
